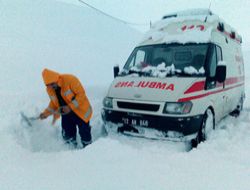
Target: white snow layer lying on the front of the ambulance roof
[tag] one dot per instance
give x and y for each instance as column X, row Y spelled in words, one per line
column 158, row 32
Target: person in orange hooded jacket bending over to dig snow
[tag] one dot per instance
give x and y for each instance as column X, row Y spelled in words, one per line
column 68, row 100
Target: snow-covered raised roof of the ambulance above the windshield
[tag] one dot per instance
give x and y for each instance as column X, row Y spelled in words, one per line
column 189, row 26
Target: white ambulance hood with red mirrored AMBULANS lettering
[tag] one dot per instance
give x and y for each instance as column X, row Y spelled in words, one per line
column 150, row 89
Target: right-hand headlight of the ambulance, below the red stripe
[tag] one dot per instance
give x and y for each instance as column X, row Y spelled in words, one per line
column 177, row 107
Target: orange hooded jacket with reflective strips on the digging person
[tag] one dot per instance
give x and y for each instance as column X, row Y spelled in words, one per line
column 72, row 92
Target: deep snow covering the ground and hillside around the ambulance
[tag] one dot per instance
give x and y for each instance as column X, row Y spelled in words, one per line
column 75, row 40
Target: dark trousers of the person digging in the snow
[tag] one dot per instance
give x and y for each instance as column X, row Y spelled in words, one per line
column 69, row 123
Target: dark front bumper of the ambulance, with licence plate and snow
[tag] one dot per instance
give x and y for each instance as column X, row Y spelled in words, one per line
column 172, row 128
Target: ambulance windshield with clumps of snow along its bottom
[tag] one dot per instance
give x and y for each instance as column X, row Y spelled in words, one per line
column 167, row 60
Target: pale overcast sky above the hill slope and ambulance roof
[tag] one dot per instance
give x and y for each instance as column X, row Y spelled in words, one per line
column 234, row 12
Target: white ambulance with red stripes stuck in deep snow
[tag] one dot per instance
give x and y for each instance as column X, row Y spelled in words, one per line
column 184, row 77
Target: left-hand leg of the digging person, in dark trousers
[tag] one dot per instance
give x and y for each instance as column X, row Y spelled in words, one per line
column 69, row 129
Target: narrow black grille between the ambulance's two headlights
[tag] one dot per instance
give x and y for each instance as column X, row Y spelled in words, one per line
column 138, row 106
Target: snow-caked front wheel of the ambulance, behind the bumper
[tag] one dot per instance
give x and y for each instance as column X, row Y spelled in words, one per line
column 207, row 126
